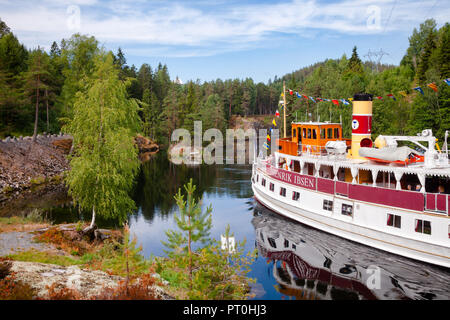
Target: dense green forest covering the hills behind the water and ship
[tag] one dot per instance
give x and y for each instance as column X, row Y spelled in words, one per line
column 38, row 88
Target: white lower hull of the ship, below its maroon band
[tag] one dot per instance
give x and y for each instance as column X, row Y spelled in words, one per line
column 367, row 225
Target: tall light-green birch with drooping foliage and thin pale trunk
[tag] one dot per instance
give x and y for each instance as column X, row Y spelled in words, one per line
column 106, row 161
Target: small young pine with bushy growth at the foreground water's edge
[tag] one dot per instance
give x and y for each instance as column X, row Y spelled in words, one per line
column 213, row 272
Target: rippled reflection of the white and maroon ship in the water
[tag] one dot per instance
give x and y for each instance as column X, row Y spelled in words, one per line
column 310, row 264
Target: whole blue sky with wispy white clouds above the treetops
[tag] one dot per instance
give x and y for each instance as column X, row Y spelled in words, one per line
column 207, row 40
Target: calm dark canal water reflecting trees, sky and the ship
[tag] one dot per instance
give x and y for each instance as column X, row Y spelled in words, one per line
column 293, row 261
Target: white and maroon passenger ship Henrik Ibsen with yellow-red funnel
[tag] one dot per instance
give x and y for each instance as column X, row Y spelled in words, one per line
column 378, row 193
